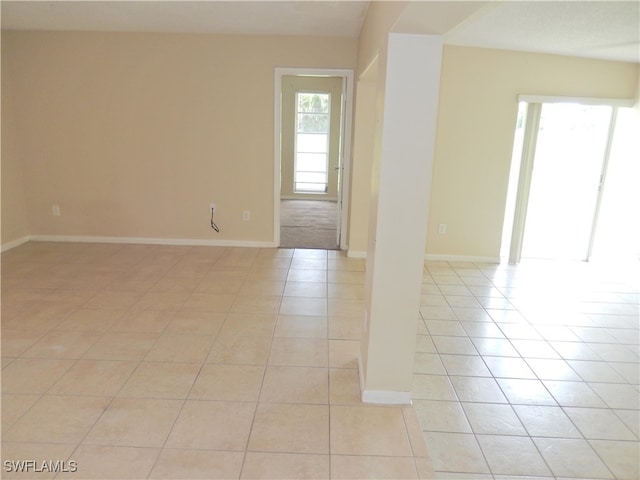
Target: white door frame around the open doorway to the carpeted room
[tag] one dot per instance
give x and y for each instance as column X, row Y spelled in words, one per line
column 345, row 160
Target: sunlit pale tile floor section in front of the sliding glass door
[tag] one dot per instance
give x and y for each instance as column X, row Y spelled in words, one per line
column 529, row 371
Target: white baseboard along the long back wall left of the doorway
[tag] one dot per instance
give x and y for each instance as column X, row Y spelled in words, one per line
column 151, row 241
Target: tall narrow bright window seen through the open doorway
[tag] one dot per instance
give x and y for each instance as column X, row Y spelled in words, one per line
column 311, row 142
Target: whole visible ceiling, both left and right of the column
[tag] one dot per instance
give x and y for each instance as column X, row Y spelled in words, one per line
column 597, row 29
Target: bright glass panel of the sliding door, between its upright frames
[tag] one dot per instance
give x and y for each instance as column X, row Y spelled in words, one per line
column 567, row 169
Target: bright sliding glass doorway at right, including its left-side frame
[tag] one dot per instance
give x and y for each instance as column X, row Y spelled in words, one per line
column 562, row 151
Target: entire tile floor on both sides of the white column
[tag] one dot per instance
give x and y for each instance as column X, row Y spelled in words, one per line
column 197, row 362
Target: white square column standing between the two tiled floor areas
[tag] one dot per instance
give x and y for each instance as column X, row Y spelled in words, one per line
column 398, row 224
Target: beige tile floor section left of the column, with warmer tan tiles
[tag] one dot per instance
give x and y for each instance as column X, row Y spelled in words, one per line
column 191, row 362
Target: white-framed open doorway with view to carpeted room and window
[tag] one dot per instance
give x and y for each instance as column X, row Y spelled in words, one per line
column 313, row 119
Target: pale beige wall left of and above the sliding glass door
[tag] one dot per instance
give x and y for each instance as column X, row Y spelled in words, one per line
column 476, row 121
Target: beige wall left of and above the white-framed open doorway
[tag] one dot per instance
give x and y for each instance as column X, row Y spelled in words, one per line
column 133, row 135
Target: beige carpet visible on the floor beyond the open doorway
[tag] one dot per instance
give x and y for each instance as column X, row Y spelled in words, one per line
column 308, row 224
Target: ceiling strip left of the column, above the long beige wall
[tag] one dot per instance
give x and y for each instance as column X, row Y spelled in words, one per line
column 324, row 18
